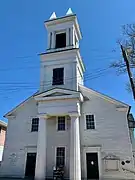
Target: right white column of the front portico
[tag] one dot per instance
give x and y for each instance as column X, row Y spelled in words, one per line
column 75, row 157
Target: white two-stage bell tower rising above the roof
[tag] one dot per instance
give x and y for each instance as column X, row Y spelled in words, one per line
column 61, row 64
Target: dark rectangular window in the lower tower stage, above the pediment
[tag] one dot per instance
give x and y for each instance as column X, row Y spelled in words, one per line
column 58, row 76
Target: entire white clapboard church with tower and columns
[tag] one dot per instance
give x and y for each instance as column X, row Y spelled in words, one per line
column 65, row 123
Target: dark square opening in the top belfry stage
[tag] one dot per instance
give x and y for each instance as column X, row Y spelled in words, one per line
column 60, row 40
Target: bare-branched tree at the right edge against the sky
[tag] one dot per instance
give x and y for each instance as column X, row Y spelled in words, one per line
column 127, row 46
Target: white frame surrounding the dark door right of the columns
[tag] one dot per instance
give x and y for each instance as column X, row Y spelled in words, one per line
column 92, row 150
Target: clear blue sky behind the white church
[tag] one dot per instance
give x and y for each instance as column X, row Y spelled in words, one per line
column 23, row 36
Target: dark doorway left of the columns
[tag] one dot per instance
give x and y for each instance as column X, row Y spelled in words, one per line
column 30, row 165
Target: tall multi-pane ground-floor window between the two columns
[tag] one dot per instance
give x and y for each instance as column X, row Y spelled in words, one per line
column 60, row 156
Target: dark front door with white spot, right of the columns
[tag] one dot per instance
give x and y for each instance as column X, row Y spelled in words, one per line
column 92, row 166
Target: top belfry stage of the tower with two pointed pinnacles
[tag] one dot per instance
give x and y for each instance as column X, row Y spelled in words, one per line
column 63, row 32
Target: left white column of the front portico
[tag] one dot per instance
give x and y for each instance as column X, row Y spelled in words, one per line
column 40, row 171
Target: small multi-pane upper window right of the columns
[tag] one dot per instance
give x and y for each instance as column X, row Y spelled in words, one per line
column 90, row 121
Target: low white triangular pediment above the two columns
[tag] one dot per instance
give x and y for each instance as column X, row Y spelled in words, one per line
column 57, row 93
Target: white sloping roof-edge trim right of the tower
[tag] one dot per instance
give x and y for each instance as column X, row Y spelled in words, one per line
column 119, row 104
